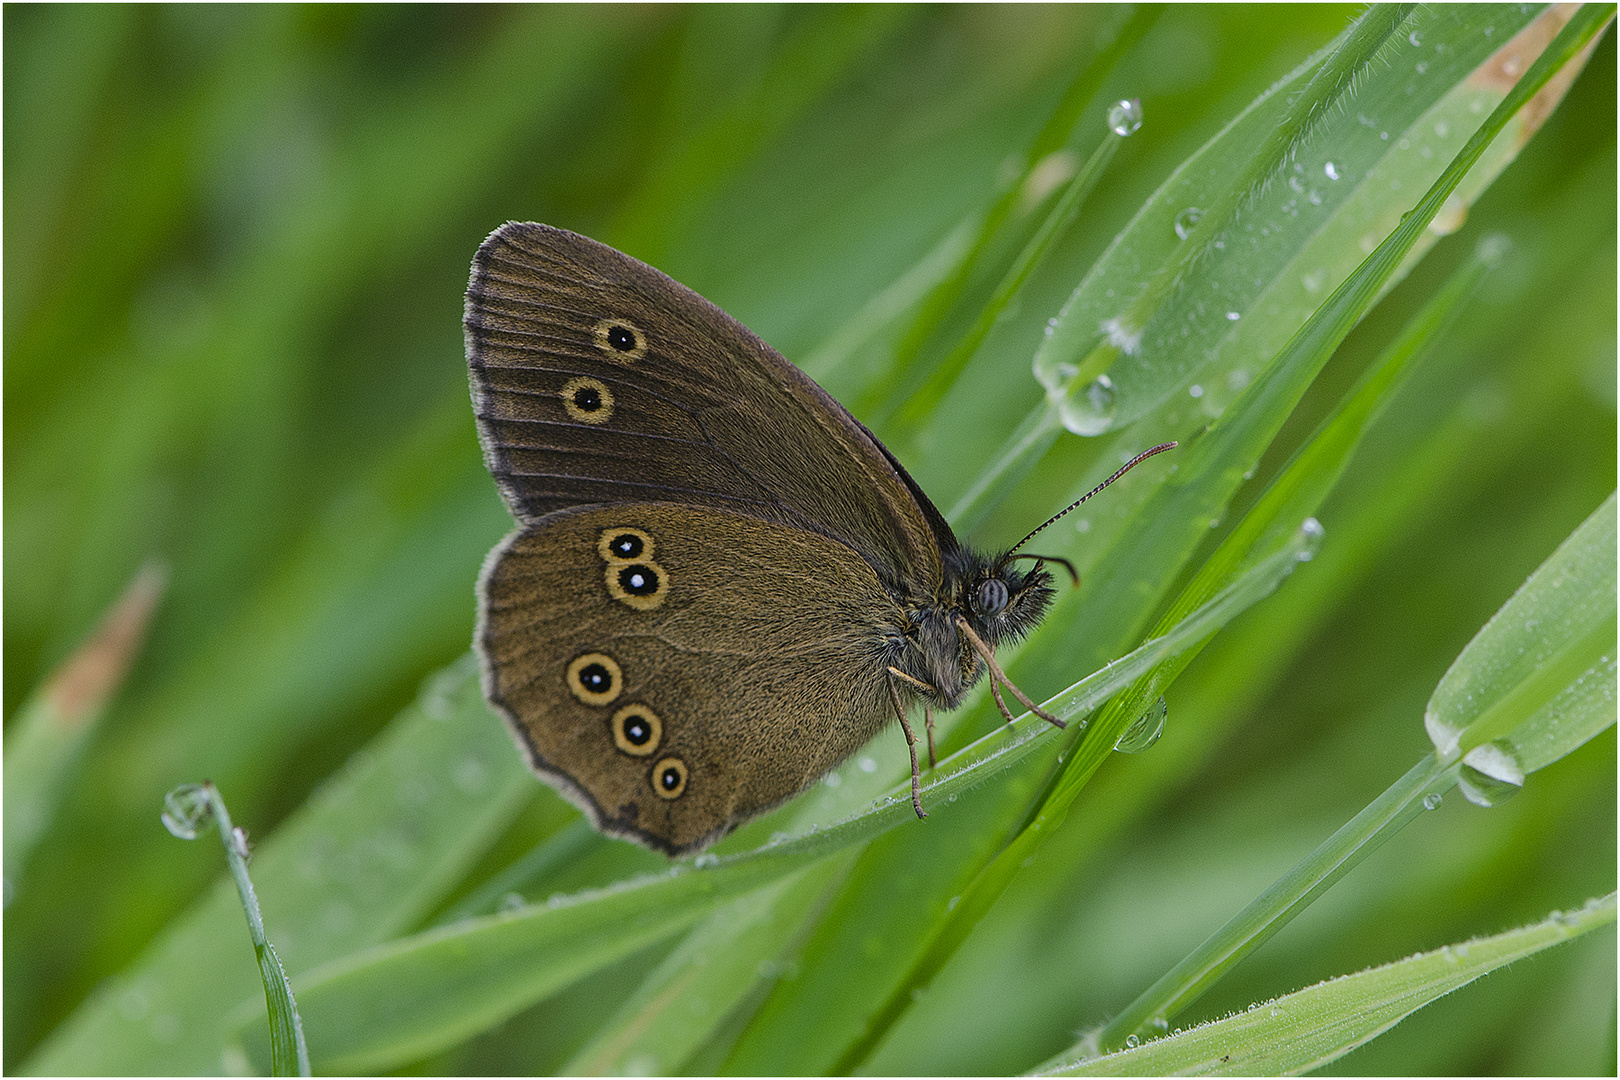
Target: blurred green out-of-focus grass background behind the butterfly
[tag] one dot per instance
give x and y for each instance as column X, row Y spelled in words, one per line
column 237, row 240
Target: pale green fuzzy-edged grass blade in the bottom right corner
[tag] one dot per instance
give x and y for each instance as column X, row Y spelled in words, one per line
column 1319, row 1024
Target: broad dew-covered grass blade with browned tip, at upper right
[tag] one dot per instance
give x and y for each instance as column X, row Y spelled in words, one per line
column 1313, row 237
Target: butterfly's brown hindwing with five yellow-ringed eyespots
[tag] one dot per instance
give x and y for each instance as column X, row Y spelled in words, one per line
column 680, row 670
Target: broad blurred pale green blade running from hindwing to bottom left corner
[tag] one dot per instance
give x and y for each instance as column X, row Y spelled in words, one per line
column 360, row 864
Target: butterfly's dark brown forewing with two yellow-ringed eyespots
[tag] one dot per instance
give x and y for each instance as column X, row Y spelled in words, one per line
column 599, row 380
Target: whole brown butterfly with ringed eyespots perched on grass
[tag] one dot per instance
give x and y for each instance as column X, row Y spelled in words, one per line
column 722, row 584
